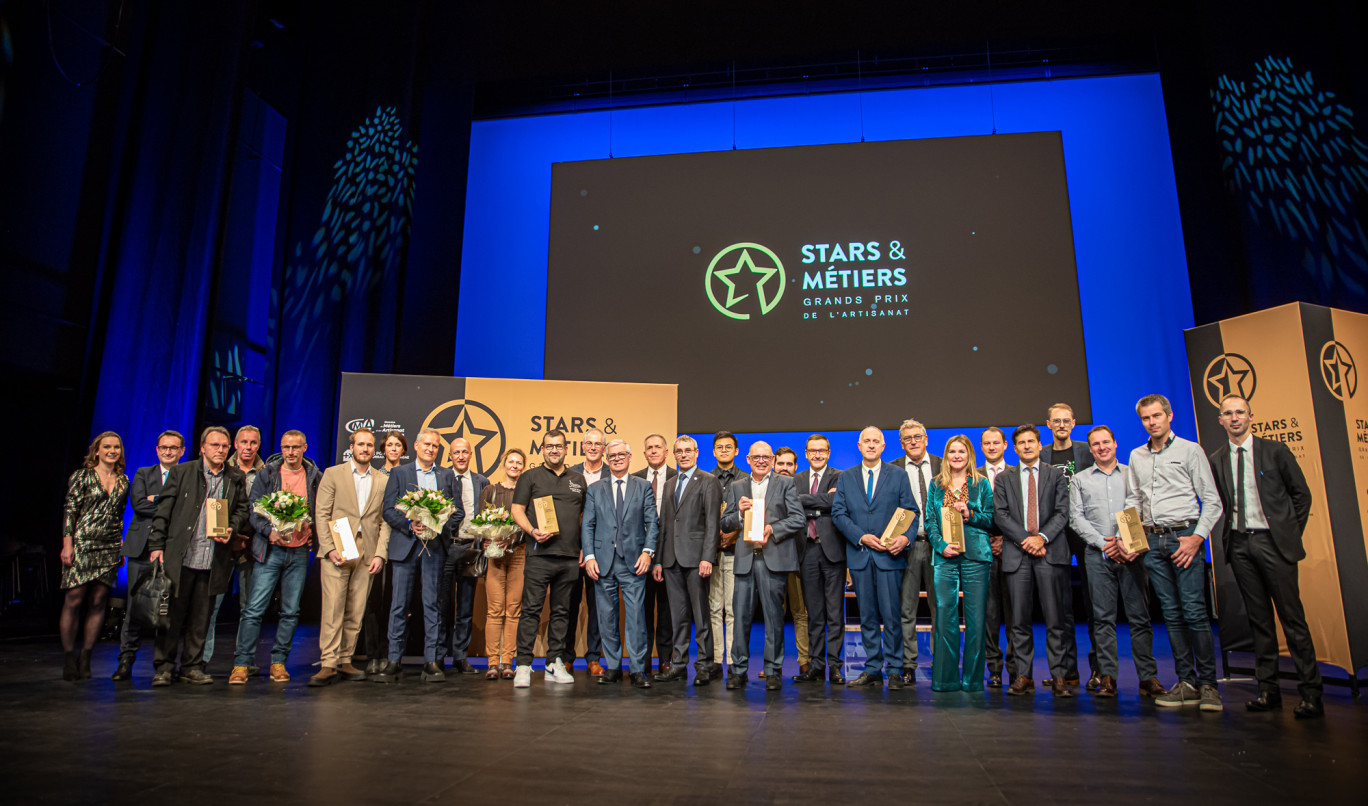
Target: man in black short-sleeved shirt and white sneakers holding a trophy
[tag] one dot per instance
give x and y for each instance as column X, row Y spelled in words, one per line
column 553, row 559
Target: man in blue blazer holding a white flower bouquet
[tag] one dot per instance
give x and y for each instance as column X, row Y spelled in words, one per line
column 412, row 559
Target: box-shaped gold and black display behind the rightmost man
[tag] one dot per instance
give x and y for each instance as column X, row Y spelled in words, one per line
column 1296, row 366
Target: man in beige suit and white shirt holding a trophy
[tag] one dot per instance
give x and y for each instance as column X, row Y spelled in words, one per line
column 355, row 492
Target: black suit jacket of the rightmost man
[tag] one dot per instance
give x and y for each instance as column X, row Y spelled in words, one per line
column 1282, row 495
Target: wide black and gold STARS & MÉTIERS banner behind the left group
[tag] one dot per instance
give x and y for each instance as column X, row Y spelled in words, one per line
column 497, row 414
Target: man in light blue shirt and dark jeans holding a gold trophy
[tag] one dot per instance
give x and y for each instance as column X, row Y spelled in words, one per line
column 1096, row 496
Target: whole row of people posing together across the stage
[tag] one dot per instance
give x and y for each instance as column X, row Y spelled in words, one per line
column 685, row 556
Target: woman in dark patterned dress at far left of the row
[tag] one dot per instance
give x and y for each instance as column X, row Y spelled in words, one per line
column 92, row 541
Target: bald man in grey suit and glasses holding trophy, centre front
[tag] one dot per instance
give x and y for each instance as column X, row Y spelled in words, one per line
column 764, row 560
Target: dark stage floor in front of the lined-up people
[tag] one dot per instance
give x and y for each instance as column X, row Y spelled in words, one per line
column 471, row 741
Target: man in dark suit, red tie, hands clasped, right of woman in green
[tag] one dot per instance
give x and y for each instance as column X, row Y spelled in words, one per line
column 1031, row 504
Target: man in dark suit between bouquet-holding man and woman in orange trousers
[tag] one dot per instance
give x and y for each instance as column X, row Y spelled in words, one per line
column 459, row 611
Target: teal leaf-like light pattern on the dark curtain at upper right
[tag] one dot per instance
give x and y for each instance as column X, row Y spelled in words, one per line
column 1292, row 154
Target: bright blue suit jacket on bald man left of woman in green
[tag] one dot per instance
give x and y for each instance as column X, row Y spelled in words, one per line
column 856, row 518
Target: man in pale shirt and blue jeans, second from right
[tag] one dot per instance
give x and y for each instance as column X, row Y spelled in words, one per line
column 1173, row 489
